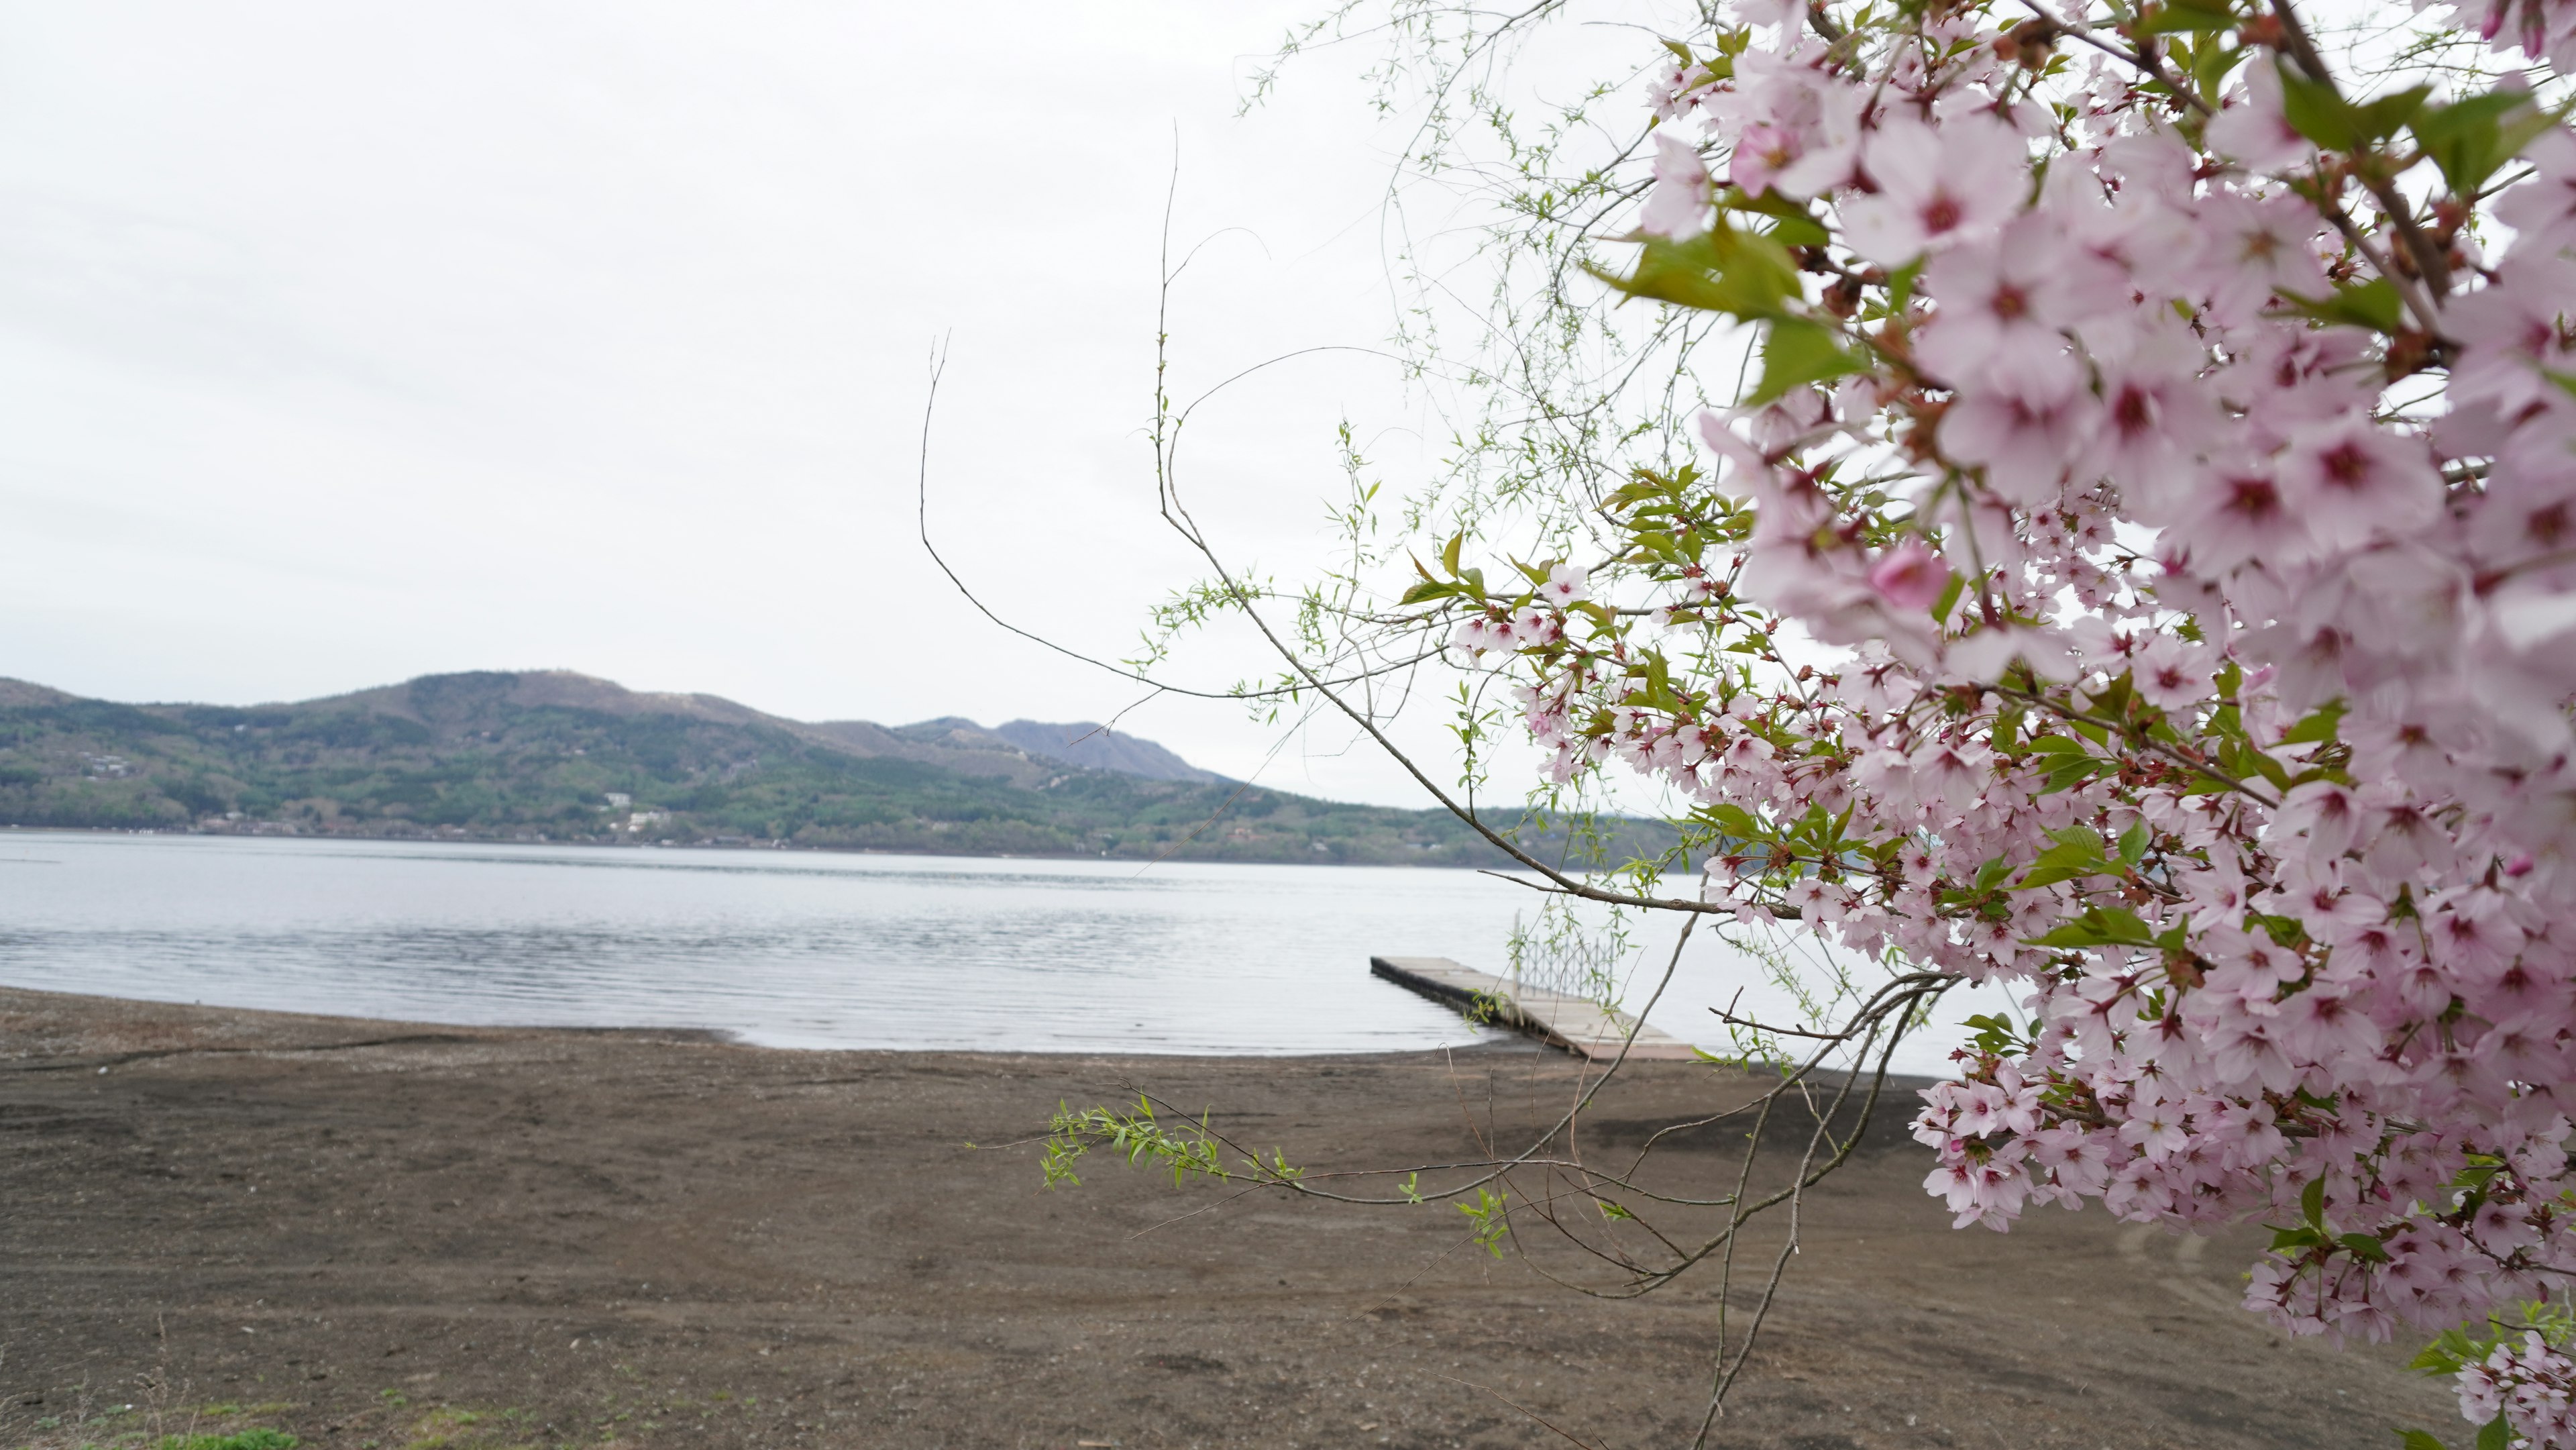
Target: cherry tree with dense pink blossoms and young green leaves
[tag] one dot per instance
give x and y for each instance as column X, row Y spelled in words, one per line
column 2137, row 568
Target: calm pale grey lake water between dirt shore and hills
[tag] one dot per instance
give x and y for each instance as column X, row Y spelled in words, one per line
column 782, row 949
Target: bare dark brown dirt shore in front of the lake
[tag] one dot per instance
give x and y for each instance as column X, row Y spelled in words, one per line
column 380, row 1235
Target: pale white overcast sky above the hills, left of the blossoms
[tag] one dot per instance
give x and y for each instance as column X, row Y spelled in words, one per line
column 344, row 344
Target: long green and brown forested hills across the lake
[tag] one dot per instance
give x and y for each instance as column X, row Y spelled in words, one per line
column 560, row 756
